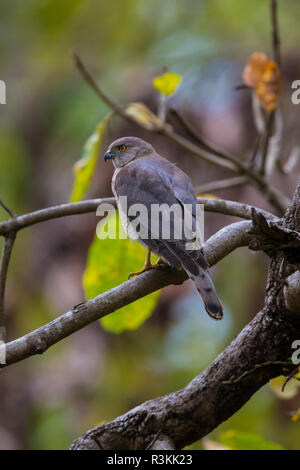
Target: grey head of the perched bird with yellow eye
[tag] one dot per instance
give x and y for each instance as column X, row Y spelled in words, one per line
column 122, row 151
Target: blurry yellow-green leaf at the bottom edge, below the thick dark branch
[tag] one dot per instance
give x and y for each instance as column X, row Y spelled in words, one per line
column 238, row 440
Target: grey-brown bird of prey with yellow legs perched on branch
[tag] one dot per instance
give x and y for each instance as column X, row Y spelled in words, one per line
column 146, row 178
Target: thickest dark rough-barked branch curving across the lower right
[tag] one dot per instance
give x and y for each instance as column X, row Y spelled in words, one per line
column 191, row 413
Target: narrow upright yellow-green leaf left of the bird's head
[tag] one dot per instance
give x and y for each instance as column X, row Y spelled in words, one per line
column 85, row 167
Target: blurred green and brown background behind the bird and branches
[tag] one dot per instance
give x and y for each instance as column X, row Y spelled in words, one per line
column 94, row 375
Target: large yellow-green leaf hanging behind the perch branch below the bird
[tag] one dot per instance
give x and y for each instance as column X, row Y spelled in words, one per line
column 108, row 265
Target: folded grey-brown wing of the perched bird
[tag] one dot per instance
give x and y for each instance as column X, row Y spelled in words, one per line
column 155, row 181
